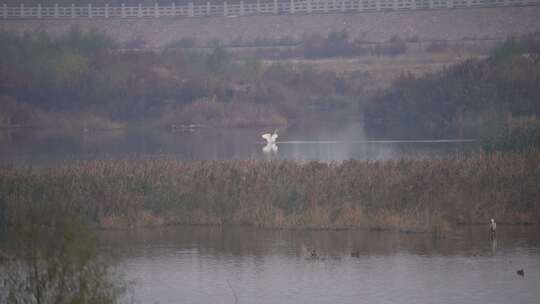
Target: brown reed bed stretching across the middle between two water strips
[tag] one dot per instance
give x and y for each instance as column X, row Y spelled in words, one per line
column 428, row 195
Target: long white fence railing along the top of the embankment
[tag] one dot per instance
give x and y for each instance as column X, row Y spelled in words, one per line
column 252, row 7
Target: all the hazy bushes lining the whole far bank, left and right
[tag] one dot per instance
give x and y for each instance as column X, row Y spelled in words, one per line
column 86, row 81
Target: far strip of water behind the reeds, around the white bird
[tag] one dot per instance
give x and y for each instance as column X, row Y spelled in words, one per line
column 321, row 142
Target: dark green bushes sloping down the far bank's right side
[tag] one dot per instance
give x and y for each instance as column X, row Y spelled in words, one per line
column 466, row 100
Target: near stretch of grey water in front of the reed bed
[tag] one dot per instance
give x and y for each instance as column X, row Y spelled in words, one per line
column 197, row 264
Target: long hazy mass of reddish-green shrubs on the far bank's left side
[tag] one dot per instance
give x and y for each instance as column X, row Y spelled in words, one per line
column 83, row 75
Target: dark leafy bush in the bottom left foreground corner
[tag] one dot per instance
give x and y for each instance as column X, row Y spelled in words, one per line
column 55, row 259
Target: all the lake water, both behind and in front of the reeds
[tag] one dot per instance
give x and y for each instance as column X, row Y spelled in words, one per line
column 208, row 264
